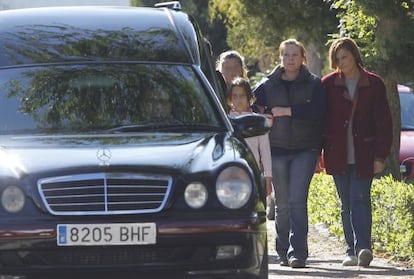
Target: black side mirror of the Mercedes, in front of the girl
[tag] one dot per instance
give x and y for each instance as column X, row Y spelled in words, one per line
column 251, row 125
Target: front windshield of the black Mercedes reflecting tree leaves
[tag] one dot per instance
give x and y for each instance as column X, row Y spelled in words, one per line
column 102, row 98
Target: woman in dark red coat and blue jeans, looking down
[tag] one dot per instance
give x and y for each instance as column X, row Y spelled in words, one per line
column 358, row 140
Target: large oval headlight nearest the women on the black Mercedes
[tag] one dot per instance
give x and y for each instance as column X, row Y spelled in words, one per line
column 234, row 187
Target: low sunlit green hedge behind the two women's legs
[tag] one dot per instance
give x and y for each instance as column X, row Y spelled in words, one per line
column 392, row 214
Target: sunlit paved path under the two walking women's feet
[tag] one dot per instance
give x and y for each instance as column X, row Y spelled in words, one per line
column 326, row 255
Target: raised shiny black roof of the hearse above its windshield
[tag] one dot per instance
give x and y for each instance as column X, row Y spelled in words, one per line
column 97, row 33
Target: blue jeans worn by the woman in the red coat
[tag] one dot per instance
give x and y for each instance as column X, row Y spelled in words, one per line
column 356, row 212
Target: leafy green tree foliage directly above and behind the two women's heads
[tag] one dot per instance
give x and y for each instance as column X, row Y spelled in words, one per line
column 256, row 28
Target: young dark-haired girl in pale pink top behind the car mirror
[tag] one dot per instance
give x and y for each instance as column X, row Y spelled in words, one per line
column 240, row 98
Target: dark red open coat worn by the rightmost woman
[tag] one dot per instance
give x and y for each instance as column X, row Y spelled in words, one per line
column 372, row 123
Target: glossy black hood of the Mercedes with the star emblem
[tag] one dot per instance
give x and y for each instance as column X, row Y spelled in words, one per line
column 33, row 154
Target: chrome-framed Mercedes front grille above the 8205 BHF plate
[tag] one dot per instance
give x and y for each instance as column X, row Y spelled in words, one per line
column 104, row 193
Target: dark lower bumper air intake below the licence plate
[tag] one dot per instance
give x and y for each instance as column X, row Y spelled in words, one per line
column 104, row 257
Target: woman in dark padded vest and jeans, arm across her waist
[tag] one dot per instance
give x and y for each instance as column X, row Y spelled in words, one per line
column 295, row 101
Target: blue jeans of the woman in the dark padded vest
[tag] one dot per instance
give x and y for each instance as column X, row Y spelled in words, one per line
column 291, row 178
